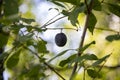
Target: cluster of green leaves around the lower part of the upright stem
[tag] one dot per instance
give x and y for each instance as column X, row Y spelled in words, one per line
column 88, row 61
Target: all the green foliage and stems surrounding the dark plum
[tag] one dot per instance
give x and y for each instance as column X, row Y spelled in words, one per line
column 27, row 51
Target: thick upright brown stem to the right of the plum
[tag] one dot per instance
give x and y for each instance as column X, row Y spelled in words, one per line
column 82, row 38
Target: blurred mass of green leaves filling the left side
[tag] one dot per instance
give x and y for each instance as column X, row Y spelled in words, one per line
column 19, row 33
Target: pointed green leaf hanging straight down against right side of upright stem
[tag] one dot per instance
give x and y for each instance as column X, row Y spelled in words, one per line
column 92, row 23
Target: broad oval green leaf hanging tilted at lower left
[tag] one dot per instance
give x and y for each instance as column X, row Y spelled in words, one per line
column 13, row 60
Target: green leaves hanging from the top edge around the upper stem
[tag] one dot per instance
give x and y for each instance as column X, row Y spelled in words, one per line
column 80, row 6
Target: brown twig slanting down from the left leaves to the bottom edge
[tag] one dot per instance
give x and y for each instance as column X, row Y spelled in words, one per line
column 50, row 67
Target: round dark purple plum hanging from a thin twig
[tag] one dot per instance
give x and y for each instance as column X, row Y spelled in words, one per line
column 60, row 39
